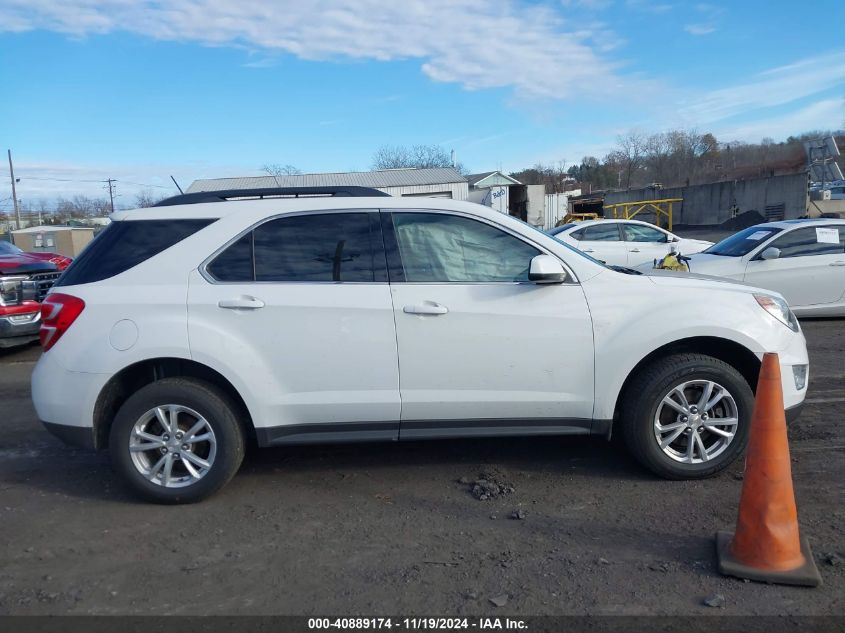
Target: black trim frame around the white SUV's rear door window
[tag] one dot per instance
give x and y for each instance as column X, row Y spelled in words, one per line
column 379, row 259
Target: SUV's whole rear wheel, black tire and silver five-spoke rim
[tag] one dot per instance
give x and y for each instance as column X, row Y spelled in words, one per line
column 177, row 440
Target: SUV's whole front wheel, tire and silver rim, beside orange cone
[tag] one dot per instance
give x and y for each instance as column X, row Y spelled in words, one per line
column 687, row 416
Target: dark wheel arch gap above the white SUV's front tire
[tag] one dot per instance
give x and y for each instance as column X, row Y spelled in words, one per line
column 735, row 354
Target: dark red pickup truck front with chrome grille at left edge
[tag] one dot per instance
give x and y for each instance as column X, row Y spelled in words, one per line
column 25, row 279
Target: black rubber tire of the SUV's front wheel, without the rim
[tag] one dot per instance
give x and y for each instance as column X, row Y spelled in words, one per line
column 644, row 395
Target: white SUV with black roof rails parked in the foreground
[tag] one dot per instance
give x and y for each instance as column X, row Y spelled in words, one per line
column 185, row 330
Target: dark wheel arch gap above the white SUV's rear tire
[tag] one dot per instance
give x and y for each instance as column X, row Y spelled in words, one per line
column 131, row 378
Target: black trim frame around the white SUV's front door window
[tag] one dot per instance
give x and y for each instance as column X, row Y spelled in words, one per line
column 396, row 270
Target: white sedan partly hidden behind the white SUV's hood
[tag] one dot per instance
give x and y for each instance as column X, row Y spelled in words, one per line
column 624, row 242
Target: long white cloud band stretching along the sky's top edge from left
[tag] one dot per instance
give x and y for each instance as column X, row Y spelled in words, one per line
column 474, row 43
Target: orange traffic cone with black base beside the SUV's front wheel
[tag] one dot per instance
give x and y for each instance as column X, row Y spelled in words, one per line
column 766, row 545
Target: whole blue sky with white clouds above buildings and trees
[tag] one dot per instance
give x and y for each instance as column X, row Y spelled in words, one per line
column 143, row 89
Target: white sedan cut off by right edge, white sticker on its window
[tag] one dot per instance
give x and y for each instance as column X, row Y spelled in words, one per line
column 804, row 260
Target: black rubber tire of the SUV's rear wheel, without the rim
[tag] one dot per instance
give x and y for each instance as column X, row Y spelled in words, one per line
column 214, row 406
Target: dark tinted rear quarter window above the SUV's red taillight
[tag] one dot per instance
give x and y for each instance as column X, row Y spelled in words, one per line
column 124, row 245
